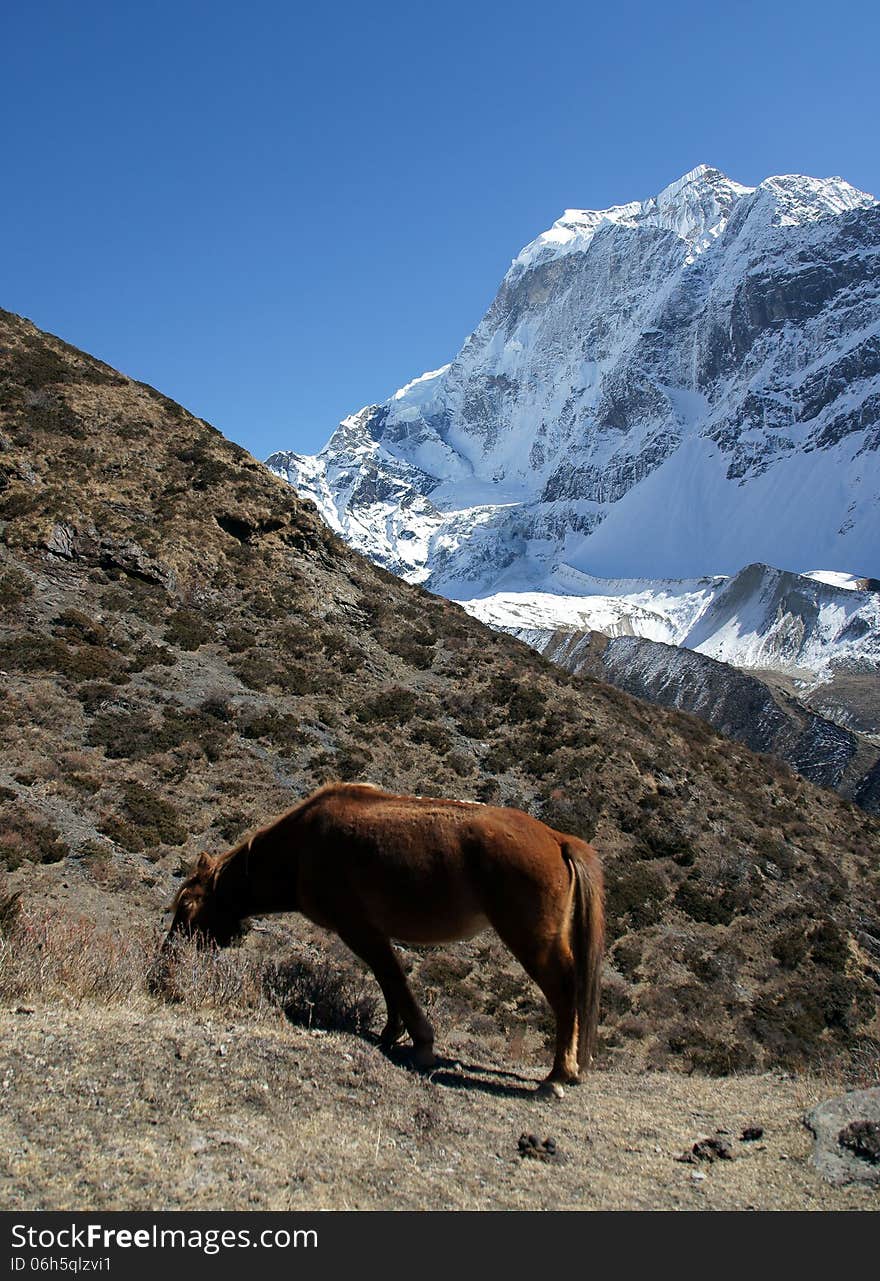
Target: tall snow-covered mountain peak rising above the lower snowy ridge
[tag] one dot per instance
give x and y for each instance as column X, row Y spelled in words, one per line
column 669, row 390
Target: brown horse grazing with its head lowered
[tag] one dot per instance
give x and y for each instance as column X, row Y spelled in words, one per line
column 373, row 868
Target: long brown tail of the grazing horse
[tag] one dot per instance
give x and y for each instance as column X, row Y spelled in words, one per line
column 589, row 941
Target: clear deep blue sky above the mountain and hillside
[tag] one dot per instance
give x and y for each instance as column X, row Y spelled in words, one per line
column 280, row 212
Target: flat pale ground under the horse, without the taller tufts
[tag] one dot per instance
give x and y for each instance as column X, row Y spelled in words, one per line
column 121, row 1107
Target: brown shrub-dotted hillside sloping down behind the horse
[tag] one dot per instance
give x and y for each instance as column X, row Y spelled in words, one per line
column 186, row 650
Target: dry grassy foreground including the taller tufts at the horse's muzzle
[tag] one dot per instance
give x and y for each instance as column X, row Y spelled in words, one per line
column 139, row 1081
